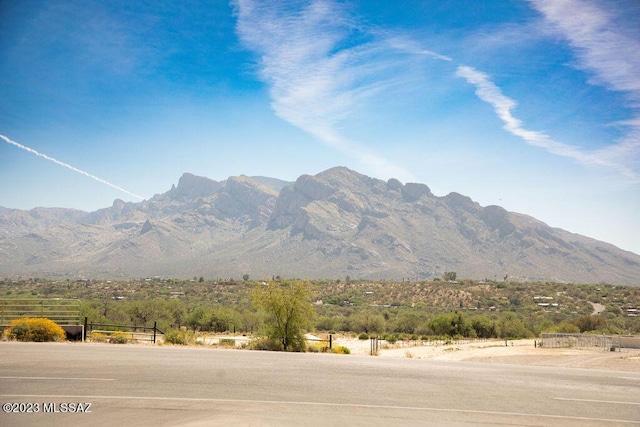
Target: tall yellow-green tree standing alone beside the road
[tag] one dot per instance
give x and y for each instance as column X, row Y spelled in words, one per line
column 288, row 310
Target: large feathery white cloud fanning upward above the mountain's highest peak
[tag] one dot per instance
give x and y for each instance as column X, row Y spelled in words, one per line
column 317, row 75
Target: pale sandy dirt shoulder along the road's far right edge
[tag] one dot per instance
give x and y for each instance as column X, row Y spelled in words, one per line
column 523, row 352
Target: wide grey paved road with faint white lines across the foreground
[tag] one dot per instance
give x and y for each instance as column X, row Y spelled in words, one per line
column 168, row 386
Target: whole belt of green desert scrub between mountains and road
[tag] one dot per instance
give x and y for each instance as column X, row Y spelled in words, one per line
column 281, row 310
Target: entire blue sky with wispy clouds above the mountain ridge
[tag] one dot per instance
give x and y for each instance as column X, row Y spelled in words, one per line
column 531, row 105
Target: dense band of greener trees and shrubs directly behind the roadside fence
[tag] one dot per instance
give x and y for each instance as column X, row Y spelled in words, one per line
column 282, row 310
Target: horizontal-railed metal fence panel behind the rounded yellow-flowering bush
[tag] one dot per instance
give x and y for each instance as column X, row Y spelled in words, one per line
column 61, row 311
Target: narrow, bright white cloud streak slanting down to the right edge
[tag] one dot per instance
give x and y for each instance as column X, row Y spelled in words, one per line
column 503, row 106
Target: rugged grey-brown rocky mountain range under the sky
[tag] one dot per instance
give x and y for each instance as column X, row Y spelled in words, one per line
column 335, row 224
